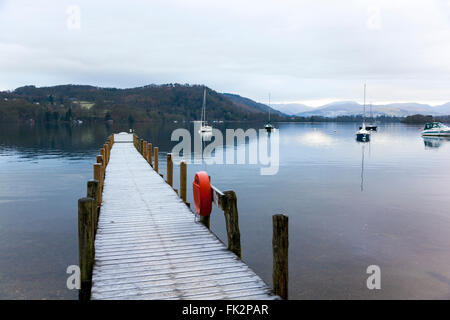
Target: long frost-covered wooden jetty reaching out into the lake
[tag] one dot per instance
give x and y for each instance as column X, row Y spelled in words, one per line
column 148, row 243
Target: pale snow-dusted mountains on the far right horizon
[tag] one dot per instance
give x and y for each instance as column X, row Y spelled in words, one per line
column 348, row 108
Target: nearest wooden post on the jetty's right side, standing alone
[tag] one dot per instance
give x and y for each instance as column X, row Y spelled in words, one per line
column 280, row 247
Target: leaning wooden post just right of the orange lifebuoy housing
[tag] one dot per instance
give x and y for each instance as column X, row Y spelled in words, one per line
column 232, row 222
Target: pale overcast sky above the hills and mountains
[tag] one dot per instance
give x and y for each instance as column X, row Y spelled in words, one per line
column 309, row 52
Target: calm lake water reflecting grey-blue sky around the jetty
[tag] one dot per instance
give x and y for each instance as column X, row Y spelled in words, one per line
column 350, row 205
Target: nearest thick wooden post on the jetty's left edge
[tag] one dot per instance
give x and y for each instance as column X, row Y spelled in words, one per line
column 85, row 245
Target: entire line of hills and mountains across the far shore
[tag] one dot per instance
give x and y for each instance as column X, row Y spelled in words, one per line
column 174, row 102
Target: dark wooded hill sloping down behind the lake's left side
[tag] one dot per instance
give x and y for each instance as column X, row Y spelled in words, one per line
column 171, row 102
